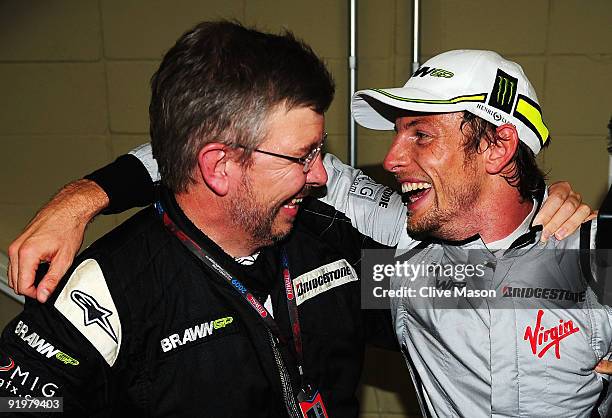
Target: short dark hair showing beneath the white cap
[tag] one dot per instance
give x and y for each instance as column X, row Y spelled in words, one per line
column 526, row 176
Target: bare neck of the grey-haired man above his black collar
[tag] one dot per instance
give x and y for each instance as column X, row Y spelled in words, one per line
column 206, row 213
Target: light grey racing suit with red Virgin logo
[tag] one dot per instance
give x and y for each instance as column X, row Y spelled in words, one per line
column 528, row 353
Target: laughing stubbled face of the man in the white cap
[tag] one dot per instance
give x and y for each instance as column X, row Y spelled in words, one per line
column 440, row 184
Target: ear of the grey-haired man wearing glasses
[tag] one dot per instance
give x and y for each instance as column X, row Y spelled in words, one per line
column 213, row 159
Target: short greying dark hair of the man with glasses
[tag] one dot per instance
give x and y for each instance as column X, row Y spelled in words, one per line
column 218, row 83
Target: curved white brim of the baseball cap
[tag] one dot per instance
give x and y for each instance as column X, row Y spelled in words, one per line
column 378, row 108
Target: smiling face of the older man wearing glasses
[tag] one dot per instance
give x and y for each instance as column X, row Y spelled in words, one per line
column 266, row 200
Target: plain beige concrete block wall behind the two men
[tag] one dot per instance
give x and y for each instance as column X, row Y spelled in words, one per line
column 74, row 80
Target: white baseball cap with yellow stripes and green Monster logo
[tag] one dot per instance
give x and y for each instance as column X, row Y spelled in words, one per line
column 481, row 82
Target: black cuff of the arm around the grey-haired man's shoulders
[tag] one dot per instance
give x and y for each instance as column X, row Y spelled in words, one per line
column 129, row 180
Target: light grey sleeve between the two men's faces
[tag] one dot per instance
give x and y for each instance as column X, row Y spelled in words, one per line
column 375, row 210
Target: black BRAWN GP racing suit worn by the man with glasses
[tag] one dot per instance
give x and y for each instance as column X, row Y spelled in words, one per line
column 175, row 349
